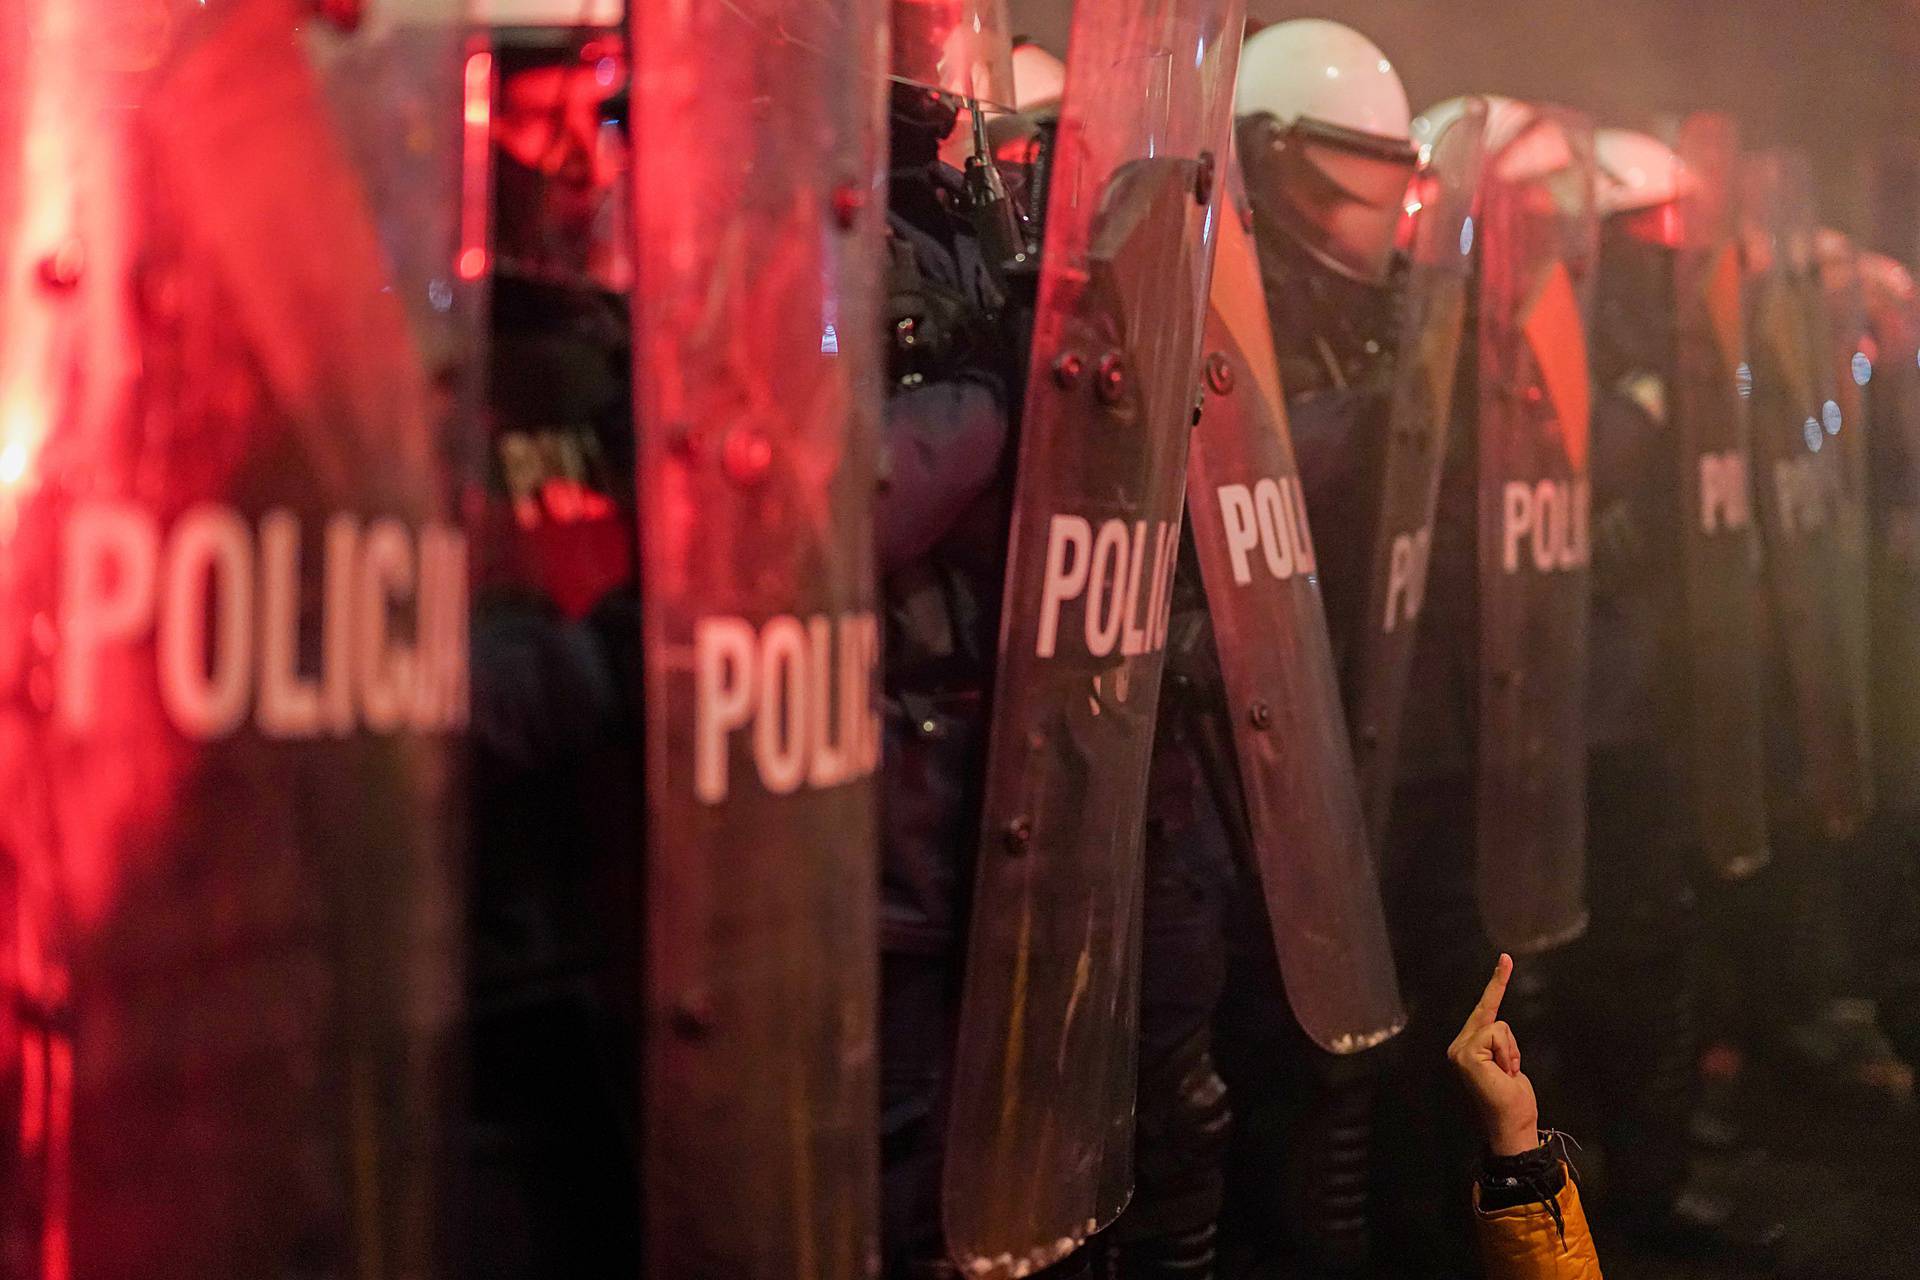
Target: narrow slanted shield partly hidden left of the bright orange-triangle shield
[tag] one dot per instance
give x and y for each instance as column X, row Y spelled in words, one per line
column 1435, row 306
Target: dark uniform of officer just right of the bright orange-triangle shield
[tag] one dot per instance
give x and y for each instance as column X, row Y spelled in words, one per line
column 1629, row 1026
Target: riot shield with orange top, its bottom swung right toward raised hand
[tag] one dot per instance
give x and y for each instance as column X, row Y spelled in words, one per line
column 1270, row 628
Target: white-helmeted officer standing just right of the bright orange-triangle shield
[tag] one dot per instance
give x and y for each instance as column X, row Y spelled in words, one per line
column 1629, row 1001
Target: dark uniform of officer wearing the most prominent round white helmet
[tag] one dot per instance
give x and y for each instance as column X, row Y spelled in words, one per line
column 1305, row 1139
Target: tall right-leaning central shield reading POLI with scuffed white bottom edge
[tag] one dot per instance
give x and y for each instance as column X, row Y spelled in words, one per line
column 1040, row 1137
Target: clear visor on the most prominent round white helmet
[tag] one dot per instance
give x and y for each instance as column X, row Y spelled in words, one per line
column 1345, row 193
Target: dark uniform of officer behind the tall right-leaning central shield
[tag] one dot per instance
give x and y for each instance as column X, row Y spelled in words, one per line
column 959, row 358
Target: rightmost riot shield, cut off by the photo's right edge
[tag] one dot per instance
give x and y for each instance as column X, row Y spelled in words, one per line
column 1894, row 435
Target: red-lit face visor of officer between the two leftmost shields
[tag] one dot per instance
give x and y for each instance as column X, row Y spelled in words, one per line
column 562, row 158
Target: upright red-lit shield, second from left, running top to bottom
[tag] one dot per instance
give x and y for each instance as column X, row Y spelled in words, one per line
column 757, row 412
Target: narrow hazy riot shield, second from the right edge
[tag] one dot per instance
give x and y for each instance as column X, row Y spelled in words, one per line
column 1838, row 308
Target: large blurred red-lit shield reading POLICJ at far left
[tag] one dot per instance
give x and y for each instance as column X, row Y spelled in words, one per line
column 233, row 634
